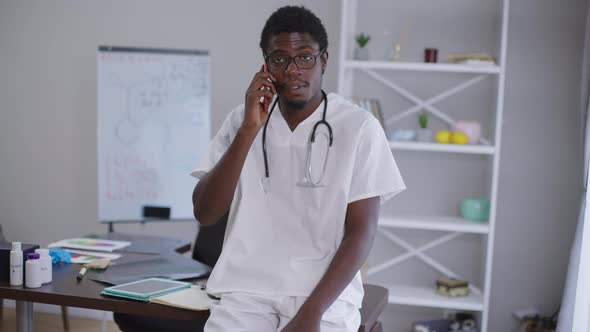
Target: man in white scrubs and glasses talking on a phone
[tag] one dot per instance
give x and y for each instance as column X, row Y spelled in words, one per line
column 302, row 216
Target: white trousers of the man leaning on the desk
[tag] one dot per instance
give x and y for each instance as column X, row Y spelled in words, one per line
column 242, row 312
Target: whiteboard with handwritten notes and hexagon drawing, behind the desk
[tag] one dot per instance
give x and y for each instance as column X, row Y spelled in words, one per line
column 153, row 119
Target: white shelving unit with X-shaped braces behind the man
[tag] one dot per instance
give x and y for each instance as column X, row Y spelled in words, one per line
column 450, row 227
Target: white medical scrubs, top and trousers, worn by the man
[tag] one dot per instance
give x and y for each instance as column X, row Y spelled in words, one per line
column 280, row 241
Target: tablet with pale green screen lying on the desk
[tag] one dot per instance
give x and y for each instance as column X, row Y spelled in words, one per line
column 146, row 289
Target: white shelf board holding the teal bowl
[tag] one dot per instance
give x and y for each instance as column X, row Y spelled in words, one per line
column 435, row 223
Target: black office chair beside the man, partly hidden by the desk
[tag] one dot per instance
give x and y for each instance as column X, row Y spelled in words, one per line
column 207, row 249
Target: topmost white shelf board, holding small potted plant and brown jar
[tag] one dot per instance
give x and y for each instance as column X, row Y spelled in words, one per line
column 418, row 66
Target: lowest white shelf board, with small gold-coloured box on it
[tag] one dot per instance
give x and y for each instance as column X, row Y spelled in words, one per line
column 427, row 297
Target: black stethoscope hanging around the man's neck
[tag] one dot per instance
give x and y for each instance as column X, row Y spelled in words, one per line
column 309, row 182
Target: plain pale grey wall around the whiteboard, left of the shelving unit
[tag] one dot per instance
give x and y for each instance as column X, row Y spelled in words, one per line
column 48, row 94
